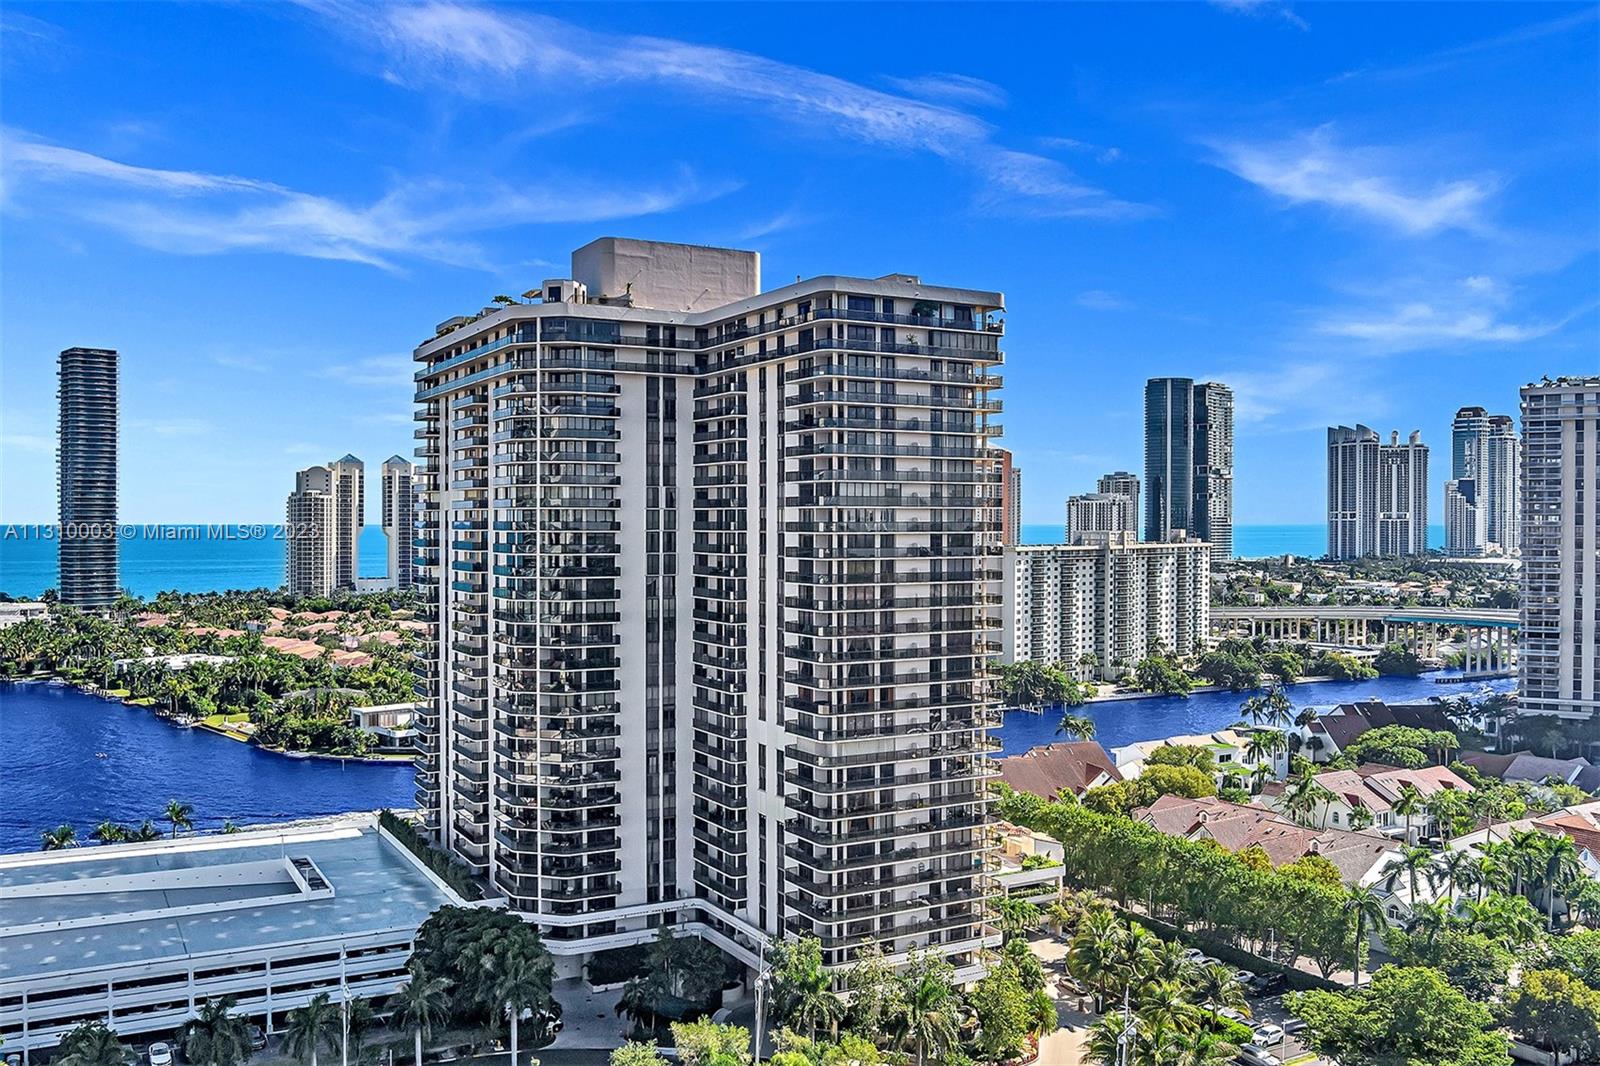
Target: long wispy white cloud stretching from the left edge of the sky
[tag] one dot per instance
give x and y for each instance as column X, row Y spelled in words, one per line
column 202, row 214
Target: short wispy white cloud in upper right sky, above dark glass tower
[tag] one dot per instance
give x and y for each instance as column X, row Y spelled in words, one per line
column 1314, row 169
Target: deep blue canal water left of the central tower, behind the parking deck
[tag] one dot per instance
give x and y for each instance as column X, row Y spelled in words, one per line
column 50, row 774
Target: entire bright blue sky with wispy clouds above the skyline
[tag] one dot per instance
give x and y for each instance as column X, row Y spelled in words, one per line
column 1345, row 212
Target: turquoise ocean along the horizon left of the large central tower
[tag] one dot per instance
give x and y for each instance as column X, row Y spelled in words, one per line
column 180, row 558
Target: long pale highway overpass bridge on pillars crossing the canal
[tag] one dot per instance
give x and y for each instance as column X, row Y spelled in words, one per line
column 1489, row 636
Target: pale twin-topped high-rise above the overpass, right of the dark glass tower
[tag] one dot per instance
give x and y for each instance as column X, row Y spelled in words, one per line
column 1377, row 494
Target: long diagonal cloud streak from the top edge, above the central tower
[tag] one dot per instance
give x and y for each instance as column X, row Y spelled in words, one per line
column 513, row 55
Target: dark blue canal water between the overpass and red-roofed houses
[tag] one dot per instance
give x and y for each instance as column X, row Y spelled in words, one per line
column 1121, row 723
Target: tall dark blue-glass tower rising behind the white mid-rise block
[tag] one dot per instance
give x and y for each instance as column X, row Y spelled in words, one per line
column 1190, row 462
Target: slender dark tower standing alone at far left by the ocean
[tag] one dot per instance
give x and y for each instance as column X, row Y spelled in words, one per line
column 87, row 478
